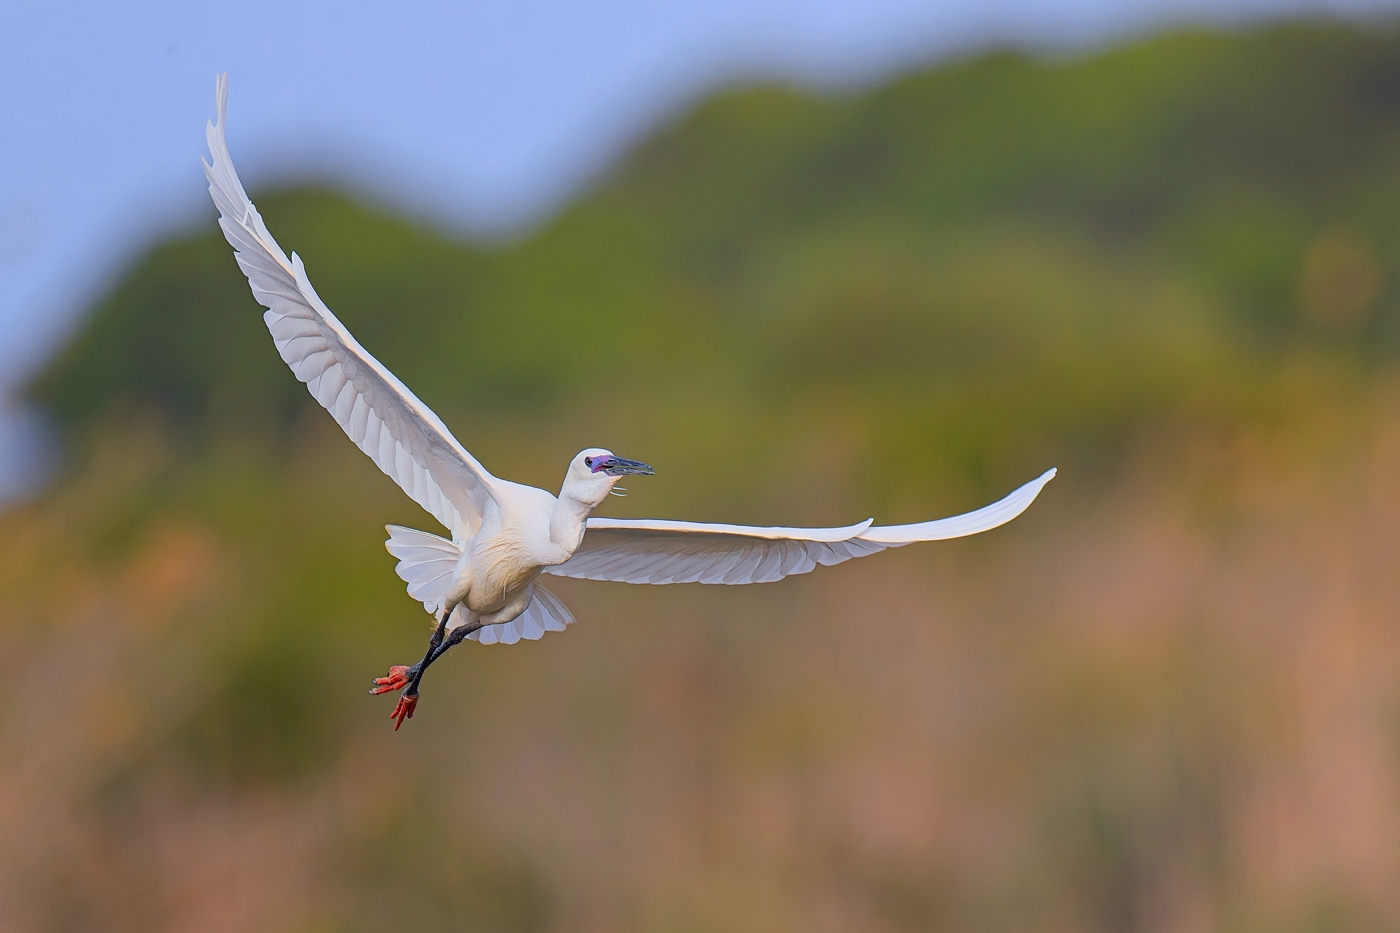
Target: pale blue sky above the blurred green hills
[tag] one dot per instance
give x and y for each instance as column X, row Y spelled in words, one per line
column 484, row 117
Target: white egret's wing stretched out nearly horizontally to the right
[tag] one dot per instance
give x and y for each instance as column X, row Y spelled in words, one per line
column 647, row 551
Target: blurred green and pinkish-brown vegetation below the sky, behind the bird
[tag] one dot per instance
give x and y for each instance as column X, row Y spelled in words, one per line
column 1167, row 698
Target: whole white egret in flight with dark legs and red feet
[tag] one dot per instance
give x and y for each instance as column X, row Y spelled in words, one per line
column 482, row 583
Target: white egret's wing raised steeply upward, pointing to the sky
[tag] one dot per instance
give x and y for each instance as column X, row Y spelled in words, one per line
column 400, row 434
